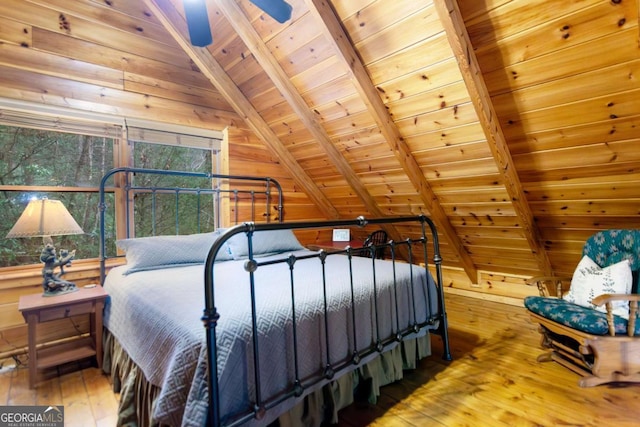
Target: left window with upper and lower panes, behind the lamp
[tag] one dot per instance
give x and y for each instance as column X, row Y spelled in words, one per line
column 36, row 163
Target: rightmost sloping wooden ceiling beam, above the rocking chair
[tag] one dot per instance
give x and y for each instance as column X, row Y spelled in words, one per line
column 451, row 19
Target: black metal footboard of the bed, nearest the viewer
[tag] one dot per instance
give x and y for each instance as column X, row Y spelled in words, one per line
column 331, row 370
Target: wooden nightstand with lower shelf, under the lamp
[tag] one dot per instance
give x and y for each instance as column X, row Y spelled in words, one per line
column 38, row 309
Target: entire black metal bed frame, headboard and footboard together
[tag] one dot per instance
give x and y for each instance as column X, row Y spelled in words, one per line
column 210, row 314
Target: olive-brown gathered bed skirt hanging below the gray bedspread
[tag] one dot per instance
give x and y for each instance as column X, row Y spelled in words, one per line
column 137, row 395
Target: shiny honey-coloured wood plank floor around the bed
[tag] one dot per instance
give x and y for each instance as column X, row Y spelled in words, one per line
column 493, row 380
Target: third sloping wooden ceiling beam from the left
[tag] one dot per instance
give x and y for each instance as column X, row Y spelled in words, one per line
column 334, row 32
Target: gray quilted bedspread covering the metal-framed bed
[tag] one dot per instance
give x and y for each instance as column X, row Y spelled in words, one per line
column 156, row 314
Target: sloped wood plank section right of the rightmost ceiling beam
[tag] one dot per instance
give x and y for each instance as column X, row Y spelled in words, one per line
column 563, row 79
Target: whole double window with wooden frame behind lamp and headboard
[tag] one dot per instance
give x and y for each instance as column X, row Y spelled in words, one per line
column 65, row 159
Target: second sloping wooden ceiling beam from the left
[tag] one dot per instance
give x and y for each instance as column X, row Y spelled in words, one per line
column 282, row 82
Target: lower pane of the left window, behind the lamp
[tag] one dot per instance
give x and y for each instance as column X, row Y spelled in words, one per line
column 82, row 206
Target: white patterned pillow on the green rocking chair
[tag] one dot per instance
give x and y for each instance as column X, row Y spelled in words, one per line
column 590, row 280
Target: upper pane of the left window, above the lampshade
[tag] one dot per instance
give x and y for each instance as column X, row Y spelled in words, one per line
column 41, row 157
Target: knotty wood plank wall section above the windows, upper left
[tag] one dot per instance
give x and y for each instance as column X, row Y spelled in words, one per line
column 74, row 54
